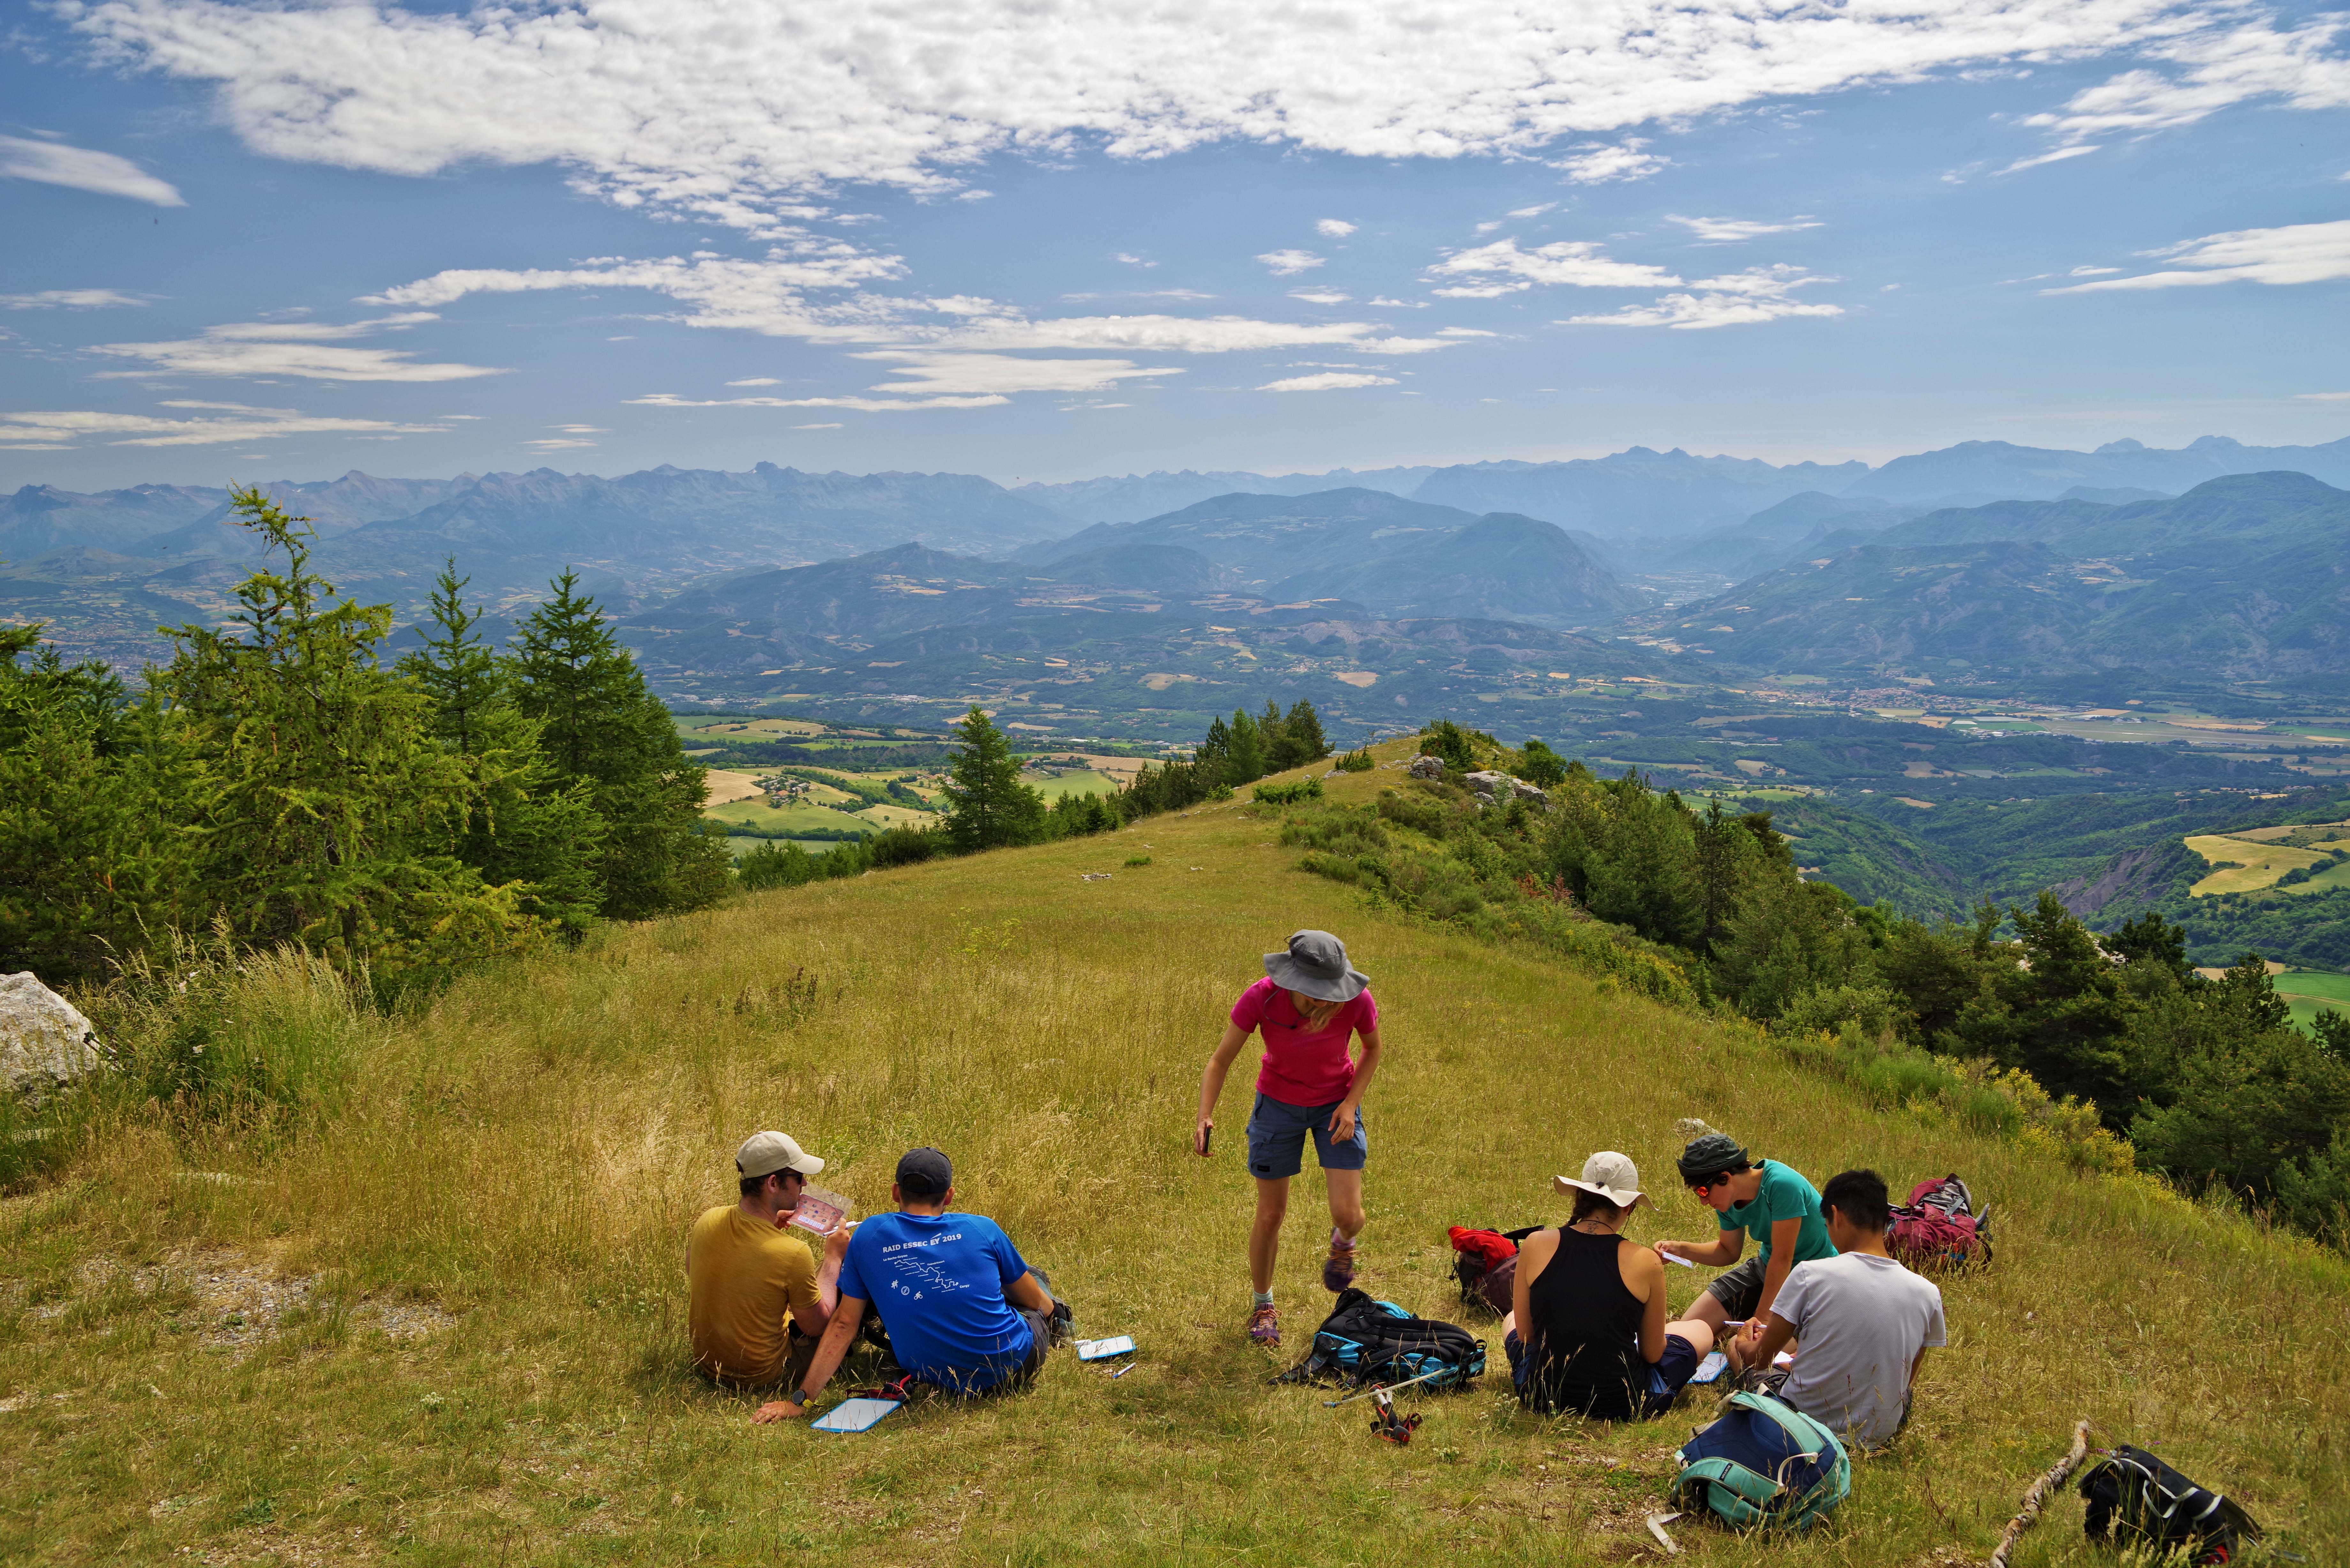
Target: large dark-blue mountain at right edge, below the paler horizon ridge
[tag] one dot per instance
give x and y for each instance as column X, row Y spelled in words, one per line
column 2238, row 579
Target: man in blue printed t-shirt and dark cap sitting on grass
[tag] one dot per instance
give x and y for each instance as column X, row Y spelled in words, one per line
column 960, row 1306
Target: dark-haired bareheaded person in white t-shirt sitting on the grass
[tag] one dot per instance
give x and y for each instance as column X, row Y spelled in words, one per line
column 1860, row 1322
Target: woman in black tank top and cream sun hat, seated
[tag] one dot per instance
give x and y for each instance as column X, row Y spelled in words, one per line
column 1590, row 1332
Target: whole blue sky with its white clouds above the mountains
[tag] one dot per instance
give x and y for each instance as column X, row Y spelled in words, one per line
column 1038, row 243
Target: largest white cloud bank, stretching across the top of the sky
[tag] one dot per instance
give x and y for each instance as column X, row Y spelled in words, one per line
column 744, row 112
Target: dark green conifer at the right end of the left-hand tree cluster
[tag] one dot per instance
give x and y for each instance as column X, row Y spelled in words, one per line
column 600, row 725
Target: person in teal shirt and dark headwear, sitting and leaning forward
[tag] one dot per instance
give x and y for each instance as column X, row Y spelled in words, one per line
column 1764, row 1200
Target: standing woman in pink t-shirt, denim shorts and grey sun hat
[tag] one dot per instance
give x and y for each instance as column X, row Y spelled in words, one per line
column 1310, row 1010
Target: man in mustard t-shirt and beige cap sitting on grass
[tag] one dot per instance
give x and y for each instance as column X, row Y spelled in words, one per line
column 758, row 1296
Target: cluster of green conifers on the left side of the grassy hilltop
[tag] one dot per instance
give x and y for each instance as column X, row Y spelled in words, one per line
column 276, row 782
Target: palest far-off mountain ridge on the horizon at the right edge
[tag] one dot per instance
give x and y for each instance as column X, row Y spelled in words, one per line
column 1999, row 471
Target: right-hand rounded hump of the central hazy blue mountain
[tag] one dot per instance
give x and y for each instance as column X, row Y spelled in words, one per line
column 1496, row 568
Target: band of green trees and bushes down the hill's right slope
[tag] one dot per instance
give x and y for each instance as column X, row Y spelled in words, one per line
column 2205, row 1078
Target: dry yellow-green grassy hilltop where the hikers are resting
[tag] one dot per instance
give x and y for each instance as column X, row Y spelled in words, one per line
column 438, row 1315
